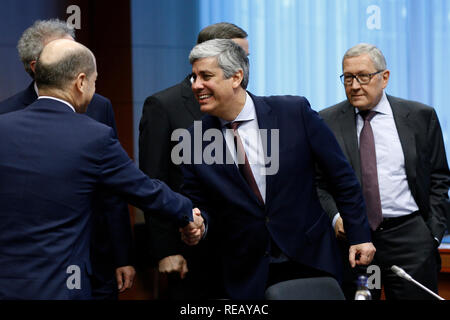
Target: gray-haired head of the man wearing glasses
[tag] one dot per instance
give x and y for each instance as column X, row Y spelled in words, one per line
column 365, row 59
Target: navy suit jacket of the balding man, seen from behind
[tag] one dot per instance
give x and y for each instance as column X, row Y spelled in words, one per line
column 51, row 162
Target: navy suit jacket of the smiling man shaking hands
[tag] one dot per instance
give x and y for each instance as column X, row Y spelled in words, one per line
column 292, row 216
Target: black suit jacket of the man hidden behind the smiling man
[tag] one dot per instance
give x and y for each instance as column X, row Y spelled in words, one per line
column 164, row 112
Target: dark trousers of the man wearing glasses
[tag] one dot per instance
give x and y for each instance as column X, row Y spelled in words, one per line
column 406, row 242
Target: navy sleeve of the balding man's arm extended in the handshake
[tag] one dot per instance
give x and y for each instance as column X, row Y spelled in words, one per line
column 119, row 173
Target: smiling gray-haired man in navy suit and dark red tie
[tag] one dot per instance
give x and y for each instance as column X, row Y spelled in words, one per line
column 271, row 224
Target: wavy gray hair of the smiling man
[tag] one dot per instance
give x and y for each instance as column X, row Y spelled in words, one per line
column 230, row 57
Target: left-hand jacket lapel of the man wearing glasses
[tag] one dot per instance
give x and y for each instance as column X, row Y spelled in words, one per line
column 348, row 132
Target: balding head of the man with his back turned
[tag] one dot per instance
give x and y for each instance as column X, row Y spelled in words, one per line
column 67, row 69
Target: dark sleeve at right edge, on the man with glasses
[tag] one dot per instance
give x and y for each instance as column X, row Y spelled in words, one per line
column 440, row 179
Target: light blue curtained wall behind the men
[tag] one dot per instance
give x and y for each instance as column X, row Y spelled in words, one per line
column 296, row 46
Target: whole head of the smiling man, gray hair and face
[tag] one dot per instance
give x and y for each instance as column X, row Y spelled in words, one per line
column 220, row 71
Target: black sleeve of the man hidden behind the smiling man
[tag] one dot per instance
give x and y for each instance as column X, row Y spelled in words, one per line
column 154, row 160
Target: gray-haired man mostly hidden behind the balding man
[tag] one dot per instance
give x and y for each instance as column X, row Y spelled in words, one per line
column 111, row 245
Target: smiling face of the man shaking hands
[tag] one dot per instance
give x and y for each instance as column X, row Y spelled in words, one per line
column 215, row 94
